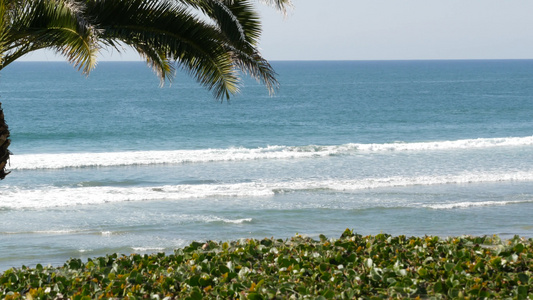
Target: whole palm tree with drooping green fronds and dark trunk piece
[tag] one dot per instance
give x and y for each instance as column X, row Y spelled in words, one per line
column 213, row 40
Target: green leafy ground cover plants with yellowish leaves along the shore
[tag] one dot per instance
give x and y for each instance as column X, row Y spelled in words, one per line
column 350, row 267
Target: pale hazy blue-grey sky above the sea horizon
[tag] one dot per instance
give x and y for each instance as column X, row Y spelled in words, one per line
column 388, row 30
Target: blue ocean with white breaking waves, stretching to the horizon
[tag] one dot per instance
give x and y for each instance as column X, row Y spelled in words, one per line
column 113, row 163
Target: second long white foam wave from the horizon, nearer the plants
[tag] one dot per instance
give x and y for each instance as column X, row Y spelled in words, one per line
column 14, row 198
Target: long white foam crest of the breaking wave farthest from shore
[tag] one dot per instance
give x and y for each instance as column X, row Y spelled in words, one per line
column 132, row 158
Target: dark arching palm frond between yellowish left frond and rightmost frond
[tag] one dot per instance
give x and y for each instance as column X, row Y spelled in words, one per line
column 155, row 28
